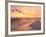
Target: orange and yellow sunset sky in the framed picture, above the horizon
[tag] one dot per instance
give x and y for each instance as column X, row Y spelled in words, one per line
column 32, row 12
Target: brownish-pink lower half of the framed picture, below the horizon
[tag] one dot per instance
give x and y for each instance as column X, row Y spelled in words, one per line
column 25, row 24
